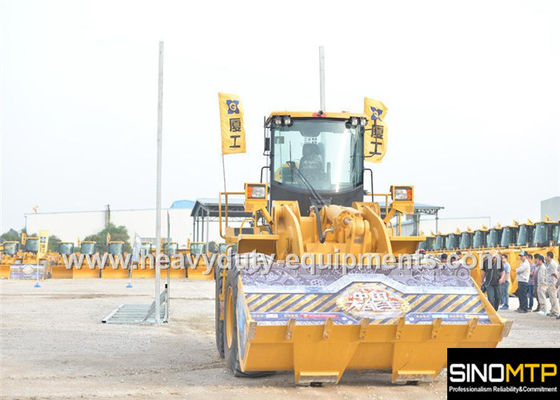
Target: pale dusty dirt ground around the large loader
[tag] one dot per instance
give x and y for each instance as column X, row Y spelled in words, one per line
column 53, row 346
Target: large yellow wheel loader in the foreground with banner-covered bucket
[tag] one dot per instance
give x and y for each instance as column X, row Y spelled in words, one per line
column 292, row 297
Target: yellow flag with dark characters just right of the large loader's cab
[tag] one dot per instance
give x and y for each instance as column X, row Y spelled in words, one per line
column 375, row 136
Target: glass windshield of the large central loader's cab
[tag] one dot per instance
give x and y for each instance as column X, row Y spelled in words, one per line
column 327, row 152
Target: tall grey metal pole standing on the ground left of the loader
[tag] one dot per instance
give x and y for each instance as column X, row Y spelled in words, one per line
column 158, row 185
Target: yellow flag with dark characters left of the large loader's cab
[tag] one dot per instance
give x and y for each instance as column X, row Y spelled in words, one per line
column 231, row 122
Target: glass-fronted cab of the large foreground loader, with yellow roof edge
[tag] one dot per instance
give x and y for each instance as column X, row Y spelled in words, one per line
column 315, row 152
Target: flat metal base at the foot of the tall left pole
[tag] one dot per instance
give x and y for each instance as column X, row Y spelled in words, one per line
column 139, row 314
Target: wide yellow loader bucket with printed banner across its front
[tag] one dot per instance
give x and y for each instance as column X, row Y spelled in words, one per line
column 322, row 323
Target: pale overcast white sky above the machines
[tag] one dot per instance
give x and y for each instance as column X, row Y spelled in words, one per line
column 472, row 88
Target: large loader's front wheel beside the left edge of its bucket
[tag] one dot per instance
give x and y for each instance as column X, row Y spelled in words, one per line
column 230, row 329
